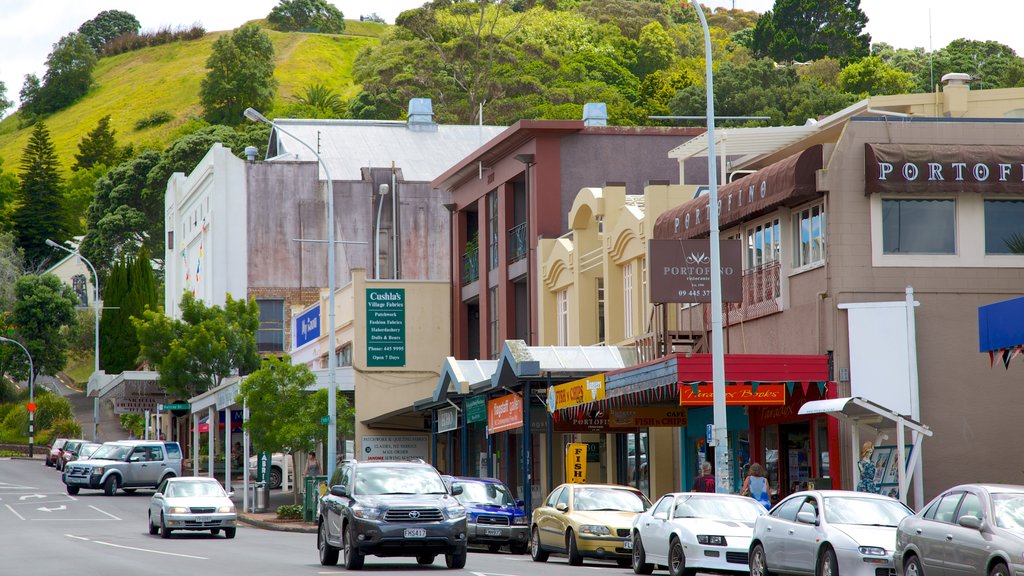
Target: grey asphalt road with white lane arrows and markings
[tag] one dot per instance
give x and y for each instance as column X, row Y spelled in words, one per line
column 47, row 532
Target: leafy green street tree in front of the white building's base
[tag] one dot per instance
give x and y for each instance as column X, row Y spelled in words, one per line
column 208, row 344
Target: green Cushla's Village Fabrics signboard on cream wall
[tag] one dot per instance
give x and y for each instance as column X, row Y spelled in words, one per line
column 387, row 327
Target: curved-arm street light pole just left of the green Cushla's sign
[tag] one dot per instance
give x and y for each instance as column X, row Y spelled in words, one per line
column 332, row 360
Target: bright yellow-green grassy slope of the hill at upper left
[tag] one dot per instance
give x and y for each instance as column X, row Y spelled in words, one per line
column 134, row 86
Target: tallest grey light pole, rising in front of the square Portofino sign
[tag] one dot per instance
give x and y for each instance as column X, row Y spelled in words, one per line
column 720, row 429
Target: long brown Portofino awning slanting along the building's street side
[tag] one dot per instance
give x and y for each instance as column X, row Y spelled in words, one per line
column 788, row 183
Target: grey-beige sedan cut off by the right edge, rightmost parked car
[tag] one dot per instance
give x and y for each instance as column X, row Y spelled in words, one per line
column 969, row 529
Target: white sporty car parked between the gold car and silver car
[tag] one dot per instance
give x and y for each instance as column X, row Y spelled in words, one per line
column 692, row 531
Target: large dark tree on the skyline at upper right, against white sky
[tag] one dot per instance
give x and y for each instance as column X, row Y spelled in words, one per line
column 808, row 30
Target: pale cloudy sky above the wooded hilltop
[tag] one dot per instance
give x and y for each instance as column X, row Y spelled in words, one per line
column 29, row 28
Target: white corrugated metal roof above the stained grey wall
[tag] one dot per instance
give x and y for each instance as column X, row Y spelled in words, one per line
column 349, row 146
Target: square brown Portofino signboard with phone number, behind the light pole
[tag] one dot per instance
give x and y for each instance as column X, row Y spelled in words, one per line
column 680, row 271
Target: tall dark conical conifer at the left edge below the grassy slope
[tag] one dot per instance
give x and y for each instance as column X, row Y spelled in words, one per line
column 41, row 215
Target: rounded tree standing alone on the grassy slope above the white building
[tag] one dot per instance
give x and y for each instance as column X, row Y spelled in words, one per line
column 240, row 75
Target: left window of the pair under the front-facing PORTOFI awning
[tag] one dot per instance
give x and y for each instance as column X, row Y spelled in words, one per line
column 919, row 227
